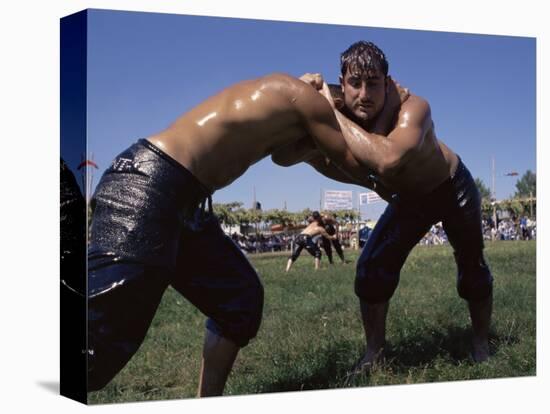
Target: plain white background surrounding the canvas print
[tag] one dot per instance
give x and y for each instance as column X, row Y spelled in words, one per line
column 29, row 343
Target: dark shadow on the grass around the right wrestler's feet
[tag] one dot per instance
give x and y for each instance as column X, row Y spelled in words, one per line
column 335, row 364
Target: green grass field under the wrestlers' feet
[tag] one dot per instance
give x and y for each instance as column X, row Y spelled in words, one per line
column 311, row 335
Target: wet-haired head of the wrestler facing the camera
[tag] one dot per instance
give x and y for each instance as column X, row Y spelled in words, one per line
column 363, row 80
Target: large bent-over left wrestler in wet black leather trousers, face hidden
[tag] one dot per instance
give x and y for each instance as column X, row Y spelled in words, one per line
column 151, row 229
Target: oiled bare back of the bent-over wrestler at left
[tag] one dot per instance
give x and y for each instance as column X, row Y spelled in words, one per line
column 224, row 135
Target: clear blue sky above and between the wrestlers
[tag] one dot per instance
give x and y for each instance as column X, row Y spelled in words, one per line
column 146, row 69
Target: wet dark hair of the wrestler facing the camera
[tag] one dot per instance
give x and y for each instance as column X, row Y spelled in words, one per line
column 365, row 57
